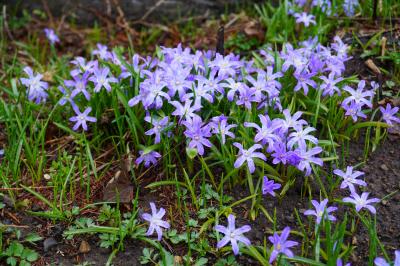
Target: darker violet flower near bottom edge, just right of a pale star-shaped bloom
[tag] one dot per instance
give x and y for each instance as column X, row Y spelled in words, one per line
column 281, row 244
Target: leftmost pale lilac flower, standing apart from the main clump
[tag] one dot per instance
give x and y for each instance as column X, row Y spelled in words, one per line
column 35, row 86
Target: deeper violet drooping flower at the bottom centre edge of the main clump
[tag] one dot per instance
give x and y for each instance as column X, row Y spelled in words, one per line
column 198, row 133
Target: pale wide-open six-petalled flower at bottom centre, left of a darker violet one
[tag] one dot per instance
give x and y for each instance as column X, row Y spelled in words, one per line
column 233, row 234
